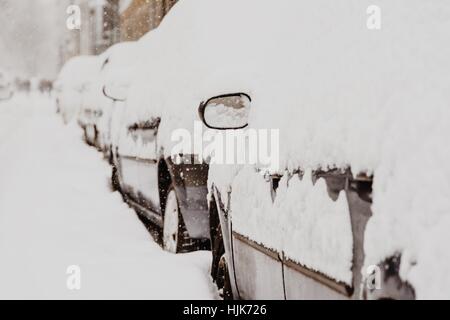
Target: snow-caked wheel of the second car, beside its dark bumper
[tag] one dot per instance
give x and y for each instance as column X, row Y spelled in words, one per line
column 175, row 236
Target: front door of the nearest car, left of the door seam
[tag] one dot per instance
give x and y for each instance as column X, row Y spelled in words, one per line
column 257, row 262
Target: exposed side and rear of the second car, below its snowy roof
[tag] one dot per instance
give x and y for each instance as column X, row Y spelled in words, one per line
column 169, row 194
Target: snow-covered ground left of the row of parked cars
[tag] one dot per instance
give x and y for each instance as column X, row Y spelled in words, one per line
column 57, row 210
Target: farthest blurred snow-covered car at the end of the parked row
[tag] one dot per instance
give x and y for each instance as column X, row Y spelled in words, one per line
column 71, row 84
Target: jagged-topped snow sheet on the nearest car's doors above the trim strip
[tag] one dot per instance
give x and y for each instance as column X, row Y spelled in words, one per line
column 303, row 222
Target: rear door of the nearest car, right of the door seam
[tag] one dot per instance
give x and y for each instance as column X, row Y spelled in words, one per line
column 318, row 241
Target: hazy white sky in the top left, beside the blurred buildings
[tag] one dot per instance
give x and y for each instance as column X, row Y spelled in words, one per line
column 30, row 32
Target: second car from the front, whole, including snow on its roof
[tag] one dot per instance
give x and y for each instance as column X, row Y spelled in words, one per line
column 171, row 195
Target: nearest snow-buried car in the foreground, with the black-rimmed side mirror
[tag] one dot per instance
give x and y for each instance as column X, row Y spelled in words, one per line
column 353, row 200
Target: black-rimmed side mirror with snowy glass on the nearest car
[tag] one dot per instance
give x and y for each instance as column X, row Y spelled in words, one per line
column 226, row 112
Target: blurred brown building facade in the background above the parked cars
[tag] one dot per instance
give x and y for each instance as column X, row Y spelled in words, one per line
column 106, row 22
